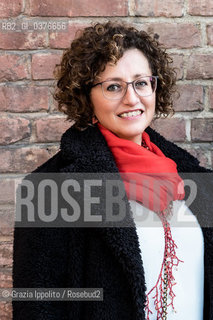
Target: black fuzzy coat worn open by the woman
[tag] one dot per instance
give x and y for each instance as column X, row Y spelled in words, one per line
column 107, row 258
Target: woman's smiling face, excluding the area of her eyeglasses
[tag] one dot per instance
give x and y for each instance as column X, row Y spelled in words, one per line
column 110, row 113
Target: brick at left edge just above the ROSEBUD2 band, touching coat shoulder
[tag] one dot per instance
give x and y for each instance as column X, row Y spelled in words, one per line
column 23, row 160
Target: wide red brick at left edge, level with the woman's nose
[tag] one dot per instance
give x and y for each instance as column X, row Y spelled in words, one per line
column 23, row 98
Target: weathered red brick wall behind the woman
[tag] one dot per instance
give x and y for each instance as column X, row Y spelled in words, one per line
column 32, row 39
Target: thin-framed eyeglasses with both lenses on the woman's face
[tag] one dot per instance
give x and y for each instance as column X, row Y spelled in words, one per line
column 115, row 90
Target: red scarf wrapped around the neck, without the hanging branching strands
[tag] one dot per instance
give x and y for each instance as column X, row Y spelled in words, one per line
column 155, row 175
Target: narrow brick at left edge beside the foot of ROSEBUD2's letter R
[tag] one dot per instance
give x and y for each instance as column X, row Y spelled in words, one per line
column 7, row 221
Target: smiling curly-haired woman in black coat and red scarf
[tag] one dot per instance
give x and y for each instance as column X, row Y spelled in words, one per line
column 112, row 81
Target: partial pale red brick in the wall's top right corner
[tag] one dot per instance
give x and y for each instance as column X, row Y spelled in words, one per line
column 200, row 7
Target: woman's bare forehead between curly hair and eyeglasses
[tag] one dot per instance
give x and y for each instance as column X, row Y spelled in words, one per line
column 131, row 63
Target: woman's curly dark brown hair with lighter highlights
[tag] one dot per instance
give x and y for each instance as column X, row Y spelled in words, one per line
column 87, row 57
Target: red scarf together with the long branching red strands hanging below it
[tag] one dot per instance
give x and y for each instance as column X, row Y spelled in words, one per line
column 152, row 179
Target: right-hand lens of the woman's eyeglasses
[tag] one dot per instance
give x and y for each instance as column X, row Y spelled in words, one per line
column 145, row 86
